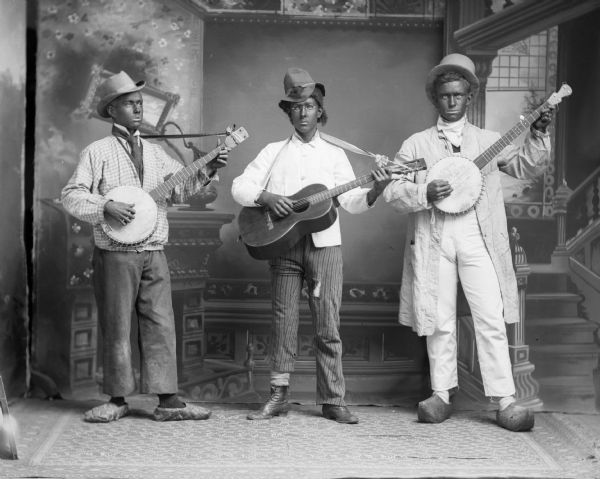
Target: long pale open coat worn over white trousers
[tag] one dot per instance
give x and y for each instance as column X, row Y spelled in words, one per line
column 419, row 289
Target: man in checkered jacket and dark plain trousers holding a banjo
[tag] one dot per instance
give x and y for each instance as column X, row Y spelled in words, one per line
column 131, row 278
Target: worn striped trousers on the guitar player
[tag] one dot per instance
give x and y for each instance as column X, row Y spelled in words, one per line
column 321, row 268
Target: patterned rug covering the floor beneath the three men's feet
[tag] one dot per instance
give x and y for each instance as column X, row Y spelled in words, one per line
column 53, row 441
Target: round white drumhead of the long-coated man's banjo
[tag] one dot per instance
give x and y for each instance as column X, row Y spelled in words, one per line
column 466, row 181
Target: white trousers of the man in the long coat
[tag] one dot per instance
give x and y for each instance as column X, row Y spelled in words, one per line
column 465, row 257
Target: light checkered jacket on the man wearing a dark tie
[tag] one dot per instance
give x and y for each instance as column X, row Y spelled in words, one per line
column 104, row 165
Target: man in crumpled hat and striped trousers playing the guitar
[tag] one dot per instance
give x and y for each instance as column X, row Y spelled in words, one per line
column 280, row 170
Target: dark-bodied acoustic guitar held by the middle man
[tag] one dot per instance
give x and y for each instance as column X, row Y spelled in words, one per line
column 267, row 236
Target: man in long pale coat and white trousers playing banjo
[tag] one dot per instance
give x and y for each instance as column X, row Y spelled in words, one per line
column 473, row 247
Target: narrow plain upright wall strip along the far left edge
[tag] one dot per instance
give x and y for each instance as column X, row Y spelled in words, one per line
column 13, row 279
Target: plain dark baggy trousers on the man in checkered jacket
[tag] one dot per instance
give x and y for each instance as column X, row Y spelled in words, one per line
column 135, row 285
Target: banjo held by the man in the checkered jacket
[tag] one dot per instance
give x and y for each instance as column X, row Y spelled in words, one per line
column 141, row 227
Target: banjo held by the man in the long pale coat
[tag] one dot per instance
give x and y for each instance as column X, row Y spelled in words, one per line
column 465, row 175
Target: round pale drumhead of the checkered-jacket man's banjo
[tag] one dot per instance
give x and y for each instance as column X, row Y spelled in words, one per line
column 144, row 222
